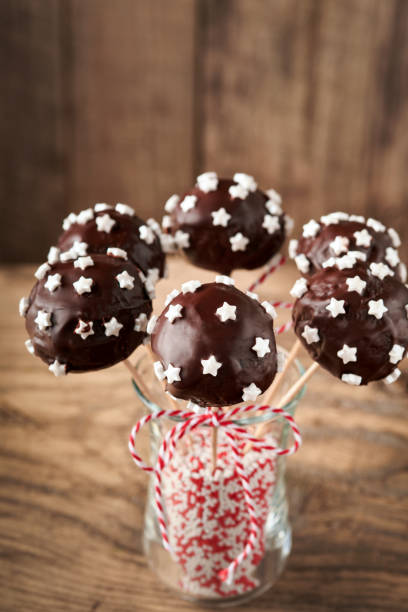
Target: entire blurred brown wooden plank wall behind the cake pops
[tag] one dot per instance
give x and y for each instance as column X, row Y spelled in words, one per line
column 128, row 100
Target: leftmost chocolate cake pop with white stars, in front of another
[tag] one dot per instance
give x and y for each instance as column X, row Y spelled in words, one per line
column 86, row 314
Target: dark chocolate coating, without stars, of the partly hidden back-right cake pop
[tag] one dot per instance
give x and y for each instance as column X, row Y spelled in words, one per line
column 318, row 250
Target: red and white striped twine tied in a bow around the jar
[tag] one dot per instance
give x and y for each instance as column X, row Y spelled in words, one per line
column 235, row 435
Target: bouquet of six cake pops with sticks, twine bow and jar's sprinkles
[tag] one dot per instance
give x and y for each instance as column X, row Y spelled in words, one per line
column 213, row 347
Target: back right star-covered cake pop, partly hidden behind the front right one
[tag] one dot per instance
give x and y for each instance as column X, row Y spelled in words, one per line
column 345, row 240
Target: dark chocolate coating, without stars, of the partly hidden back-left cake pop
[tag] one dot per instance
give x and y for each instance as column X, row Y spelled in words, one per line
column 124, row 235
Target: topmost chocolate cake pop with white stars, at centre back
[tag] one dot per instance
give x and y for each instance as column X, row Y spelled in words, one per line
column 224, row 224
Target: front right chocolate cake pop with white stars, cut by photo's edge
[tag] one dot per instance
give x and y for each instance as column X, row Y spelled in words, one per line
column 353, row 322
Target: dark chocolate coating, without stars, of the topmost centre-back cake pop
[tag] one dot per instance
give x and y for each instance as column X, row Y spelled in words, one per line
column 210, row 247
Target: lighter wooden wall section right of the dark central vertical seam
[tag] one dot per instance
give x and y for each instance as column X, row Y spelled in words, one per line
column 312, row 98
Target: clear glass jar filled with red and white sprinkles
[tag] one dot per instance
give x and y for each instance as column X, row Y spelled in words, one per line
column 205, row 508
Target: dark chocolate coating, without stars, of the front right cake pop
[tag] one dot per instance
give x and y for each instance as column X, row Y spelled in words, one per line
column 373, row 338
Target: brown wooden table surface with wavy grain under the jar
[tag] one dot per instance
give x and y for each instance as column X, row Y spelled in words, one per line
column 71, row 506
